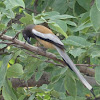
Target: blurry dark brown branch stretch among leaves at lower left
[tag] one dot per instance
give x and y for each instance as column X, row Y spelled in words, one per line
column 16, row 82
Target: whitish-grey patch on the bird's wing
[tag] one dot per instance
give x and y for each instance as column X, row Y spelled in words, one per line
column 49, row 36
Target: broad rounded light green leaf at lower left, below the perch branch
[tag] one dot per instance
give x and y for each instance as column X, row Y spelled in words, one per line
column 15, row 70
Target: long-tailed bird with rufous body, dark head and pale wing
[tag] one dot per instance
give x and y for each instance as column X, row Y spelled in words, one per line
column 49, row 40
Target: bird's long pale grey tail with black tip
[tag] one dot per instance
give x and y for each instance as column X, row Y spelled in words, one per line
column 69, row 62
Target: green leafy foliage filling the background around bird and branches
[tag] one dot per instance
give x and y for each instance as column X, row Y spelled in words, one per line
column 75, row 22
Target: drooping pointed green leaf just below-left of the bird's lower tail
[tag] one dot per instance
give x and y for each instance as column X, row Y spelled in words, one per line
column 70, row 84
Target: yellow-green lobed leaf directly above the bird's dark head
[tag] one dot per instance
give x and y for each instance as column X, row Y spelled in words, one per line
column 27, row 19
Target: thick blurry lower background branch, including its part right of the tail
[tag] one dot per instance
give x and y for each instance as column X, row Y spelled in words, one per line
column 16, row 82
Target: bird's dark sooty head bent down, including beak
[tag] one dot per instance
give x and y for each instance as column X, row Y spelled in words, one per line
column 27, row 33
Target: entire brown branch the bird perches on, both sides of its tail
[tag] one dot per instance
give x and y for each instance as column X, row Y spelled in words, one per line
column 49, row 55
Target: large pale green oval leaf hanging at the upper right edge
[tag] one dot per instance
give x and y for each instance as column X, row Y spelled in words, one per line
column 95, row 16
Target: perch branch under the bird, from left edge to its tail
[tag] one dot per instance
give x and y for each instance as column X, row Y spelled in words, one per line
column 32, row 48
